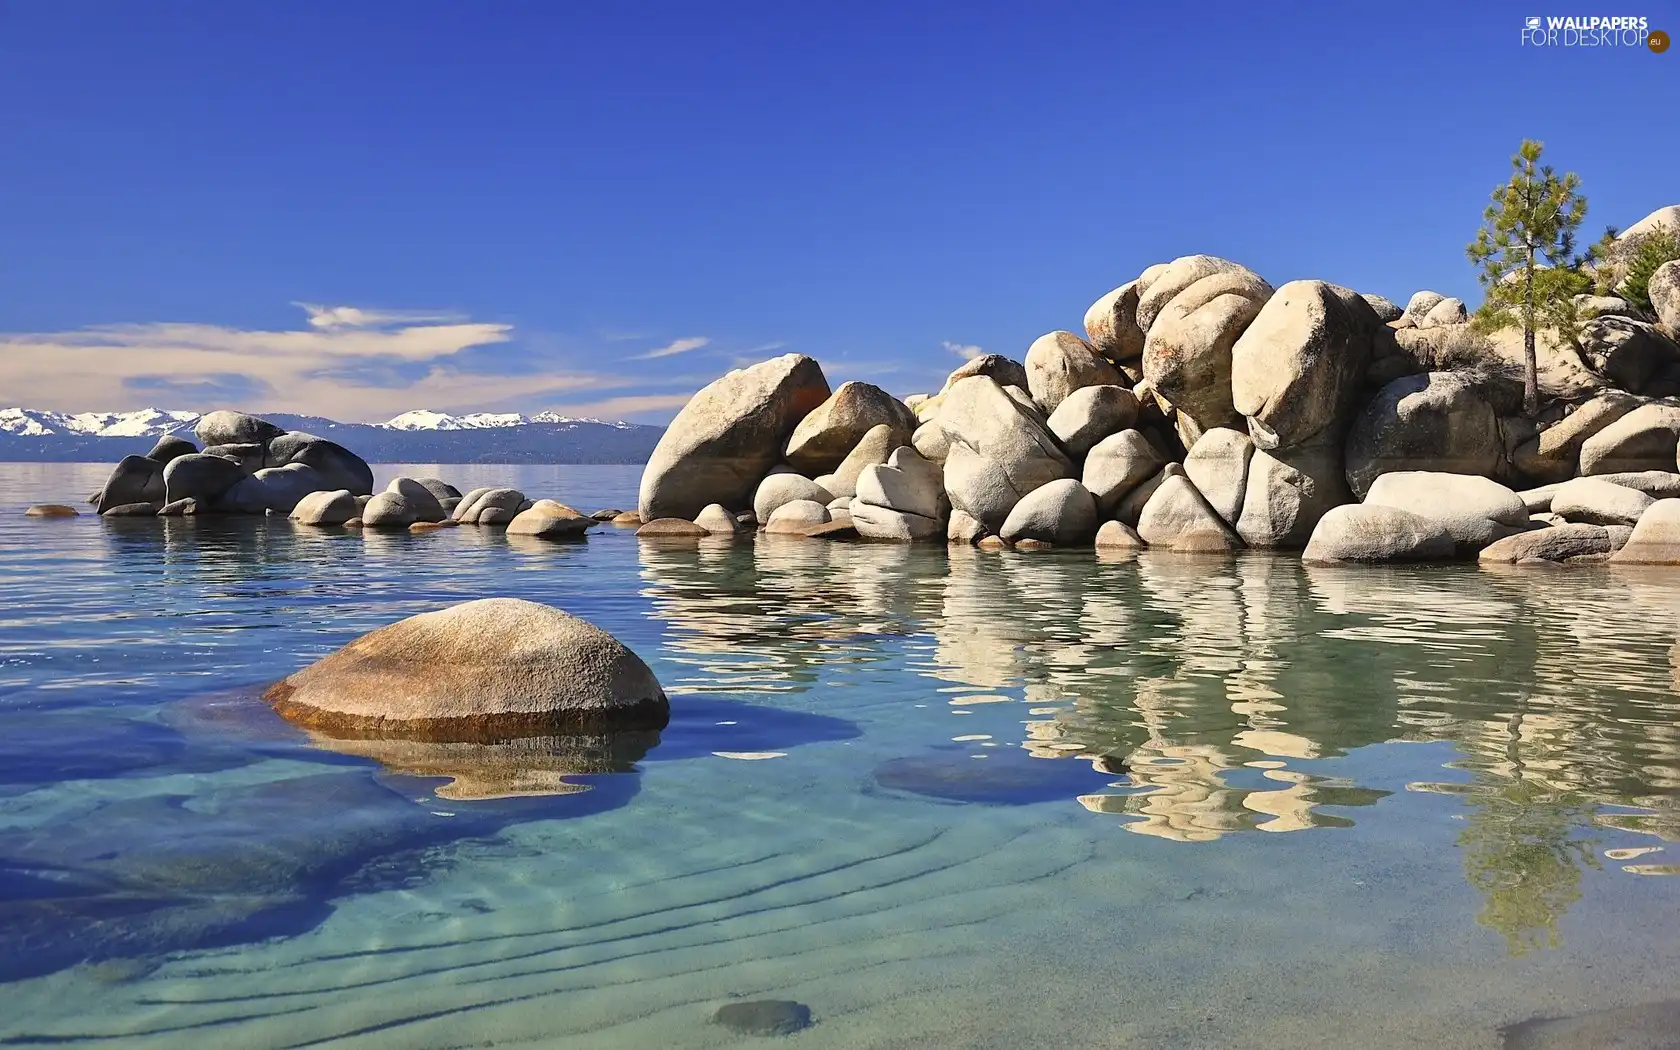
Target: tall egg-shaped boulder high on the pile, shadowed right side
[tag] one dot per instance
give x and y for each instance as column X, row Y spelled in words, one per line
column 1301, row 362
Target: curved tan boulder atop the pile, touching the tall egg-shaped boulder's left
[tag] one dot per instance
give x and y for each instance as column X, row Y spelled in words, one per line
column 1189, row 349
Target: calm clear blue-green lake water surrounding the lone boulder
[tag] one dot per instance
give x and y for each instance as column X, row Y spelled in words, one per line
column 942, row 799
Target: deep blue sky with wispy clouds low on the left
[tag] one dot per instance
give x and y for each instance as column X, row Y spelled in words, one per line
column 599, row 207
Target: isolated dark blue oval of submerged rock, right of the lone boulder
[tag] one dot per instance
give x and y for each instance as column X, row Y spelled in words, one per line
column 1007, row 777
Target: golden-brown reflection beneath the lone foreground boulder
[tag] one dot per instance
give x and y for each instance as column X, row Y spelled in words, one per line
column 507, row 769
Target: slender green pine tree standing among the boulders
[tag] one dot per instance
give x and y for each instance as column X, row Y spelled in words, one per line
column 1526, row 251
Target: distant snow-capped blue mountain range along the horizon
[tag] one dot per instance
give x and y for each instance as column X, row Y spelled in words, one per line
column 416, row 438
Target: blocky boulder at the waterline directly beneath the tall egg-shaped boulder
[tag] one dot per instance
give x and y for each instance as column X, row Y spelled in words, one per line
column 1288, row 493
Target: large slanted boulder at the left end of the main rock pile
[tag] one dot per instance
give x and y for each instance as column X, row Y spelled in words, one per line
column 730, row 436
